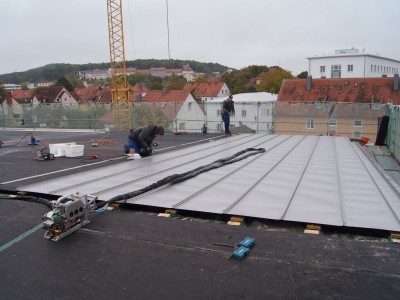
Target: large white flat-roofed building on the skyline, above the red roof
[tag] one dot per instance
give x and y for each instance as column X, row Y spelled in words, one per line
column 349, row 63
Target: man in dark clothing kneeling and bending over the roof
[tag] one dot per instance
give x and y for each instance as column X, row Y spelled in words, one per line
column 141, row 139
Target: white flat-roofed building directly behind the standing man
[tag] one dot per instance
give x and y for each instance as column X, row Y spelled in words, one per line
column 253, row 110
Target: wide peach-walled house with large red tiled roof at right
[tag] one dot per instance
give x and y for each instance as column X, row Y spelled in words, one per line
column 350, row 107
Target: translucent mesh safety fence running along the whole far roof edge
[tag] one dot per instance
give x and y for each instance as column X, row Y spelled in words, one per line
column 350, row 120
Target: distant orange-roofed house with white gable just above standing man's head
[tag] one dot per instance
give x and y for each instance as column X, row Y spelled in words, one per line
column 208, row 90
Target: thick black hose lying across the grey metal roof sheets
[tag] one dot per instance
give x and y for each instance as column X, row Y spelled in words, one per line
column 172, row 179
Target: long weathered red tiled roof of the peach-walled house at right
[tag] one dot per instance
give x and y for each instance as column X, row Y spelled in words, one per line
column 360, row 90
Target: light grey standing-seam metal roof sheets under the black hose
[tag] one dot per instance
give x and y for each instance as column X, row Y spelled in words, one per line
column 312, row 179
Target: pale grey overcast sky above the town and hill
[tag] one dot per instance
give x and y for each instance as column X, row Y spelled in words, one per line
column 234, row 33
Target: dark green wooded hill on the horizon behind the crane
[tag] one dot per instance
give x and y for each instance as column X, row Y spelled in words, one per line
column 53, row 72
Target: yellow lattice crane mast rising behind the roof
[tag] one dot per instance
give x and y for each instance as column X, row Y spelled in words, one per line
column 121, row 105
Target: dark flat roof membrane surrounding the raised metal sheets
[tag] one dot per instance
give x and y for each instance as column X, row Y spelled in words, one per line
column 129, row 253
